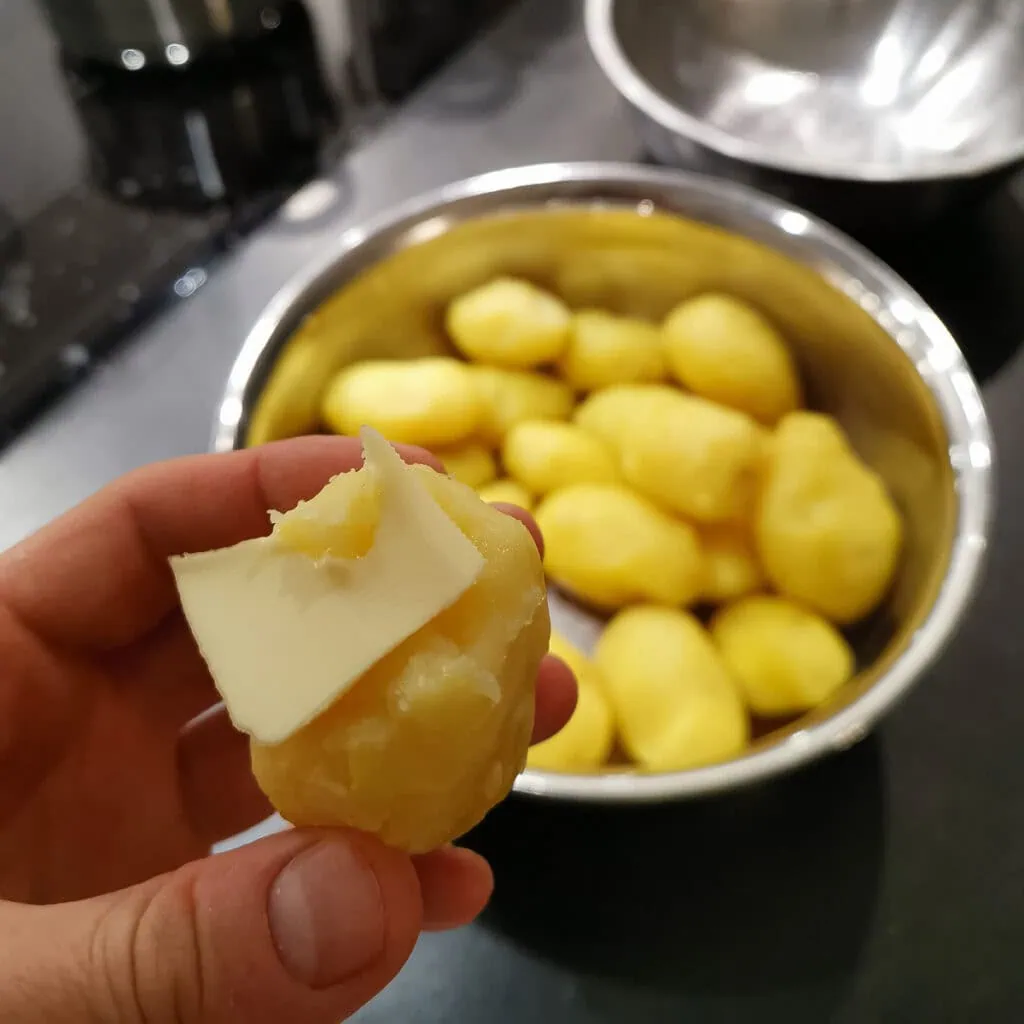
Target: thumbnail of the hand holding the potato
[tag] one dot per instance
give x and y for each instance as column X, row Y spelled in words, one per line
column 327, row 916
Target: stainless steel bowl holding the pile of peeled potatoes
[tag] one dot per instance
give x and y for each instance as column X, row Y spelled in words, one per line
column 638, row 241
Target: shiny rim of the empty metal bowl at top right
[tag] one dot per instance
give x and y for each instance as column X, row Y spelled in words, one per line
column 632, row 86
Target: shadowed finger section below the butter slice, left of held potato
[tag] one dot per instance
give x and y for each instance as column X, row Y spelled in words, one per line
column 219, row 792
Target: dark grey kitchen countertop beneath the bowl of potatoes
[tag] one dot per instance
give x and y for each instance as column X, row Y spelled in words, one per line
column 883, row 885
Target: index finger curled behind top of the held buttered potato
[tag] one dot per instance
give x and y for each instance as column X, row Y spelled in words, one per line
column 98, row 578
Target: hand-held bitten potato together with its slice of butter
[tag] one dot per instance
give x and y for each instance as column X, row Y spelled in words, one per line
column 380, row 648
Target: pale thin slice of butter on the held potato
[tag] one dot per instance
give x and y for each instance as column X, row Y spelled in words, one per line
column 284, row 635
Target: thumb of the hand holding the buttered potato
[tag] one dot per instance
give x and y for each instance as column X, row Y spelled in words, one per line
column 305, row 927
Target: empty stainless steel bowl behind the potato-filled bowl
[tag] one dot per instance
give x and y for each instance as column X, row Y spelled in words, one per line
column 874, row 113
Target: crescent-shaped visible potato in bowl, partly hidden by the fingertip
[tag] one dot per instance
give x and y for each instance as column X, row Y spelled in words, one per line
column 586, row 741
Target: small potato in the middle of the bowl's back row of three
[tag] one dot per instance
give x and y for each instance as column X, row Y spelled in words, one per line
column 605, row 350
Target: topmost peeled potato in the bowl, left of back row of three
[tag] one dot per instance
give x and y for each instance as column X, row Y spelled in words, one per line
column 509, row 323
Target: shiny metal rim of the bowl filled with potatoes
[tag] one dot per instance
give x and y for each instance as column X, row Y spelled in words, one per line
column 929, row 346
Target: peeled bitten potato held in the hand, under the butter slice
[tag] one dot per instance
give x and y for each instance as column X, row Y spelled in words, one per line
column 428, row 741
